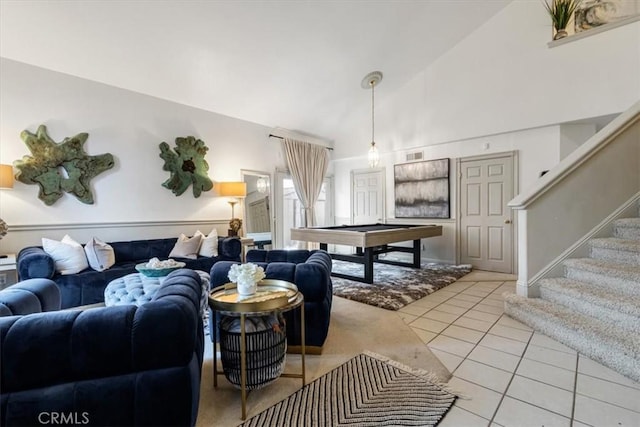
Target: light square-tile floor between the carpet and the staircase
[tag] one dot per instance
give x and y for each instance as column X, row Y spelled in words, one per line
column 509, row 375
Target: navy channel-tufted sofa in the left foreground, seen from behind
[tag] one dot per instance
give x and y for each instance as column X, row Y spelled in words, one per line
column 107, row 366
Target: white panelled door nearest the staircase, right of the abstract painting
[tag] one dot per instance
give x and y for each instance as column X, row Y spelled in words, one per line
column 486, row 223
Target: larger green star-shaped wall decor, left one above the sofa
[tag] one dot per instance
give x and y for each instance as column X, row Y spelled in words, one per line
column 45, row 167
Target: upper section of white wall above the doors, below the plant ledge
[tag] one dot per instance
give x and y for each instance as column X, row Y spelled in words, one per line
column 504, row 78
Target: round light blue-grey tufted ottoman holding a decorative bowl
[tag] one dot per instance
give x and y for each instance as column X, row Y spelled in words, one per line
column 138, row 289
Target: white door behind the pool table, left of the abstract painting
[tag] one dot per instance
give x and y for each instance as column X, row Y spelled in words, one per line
column 367, row 196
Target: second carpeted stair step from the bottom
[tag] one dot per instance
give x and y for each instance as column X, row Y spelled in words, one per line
column 593, row 300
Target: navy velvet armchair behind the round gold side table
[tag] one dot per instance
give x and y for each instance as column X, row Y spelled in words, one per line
column 310, row 271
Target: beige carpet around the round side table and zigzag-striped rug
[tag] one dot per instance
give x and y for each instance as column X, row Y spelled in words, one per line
column 355, row 327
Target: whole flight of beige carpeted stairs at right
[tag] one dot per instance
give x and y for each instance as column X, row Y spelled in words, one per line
column 595, row 308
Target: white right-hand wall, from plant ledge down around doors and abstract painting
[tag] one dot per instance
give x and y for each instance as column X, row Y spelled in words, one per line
column 502, row 86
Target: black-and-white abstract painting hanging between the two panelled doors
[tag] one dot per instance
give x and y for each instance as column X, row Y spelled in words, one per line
column 422, row 189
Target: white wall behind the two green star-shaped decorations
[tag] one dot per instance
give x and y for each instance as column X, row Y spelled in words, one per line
column 130, row 126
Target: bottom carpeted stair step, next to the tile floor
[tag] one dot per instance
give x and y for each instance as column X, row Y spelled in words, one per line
column 604, row 342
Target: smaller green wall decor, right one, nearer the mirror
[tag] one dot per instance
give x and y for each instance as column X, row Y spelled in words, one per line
column 187, row 166
